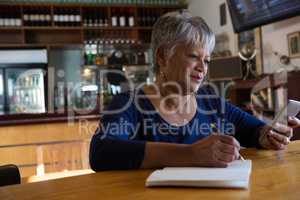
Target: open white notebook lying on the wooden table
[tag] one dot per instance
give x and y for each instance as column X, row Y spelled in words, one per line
column 236, row 175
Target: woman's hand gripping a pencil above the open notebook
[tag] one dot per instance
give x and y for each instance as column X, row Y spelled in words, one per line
column 215, row 151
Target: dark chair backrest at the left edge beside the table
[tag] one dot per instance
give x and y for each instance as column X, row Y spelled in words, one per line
column 9, row 175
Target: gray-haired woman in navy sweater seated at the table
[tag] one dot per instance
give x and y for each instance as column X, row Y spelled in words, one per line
column 173, row 122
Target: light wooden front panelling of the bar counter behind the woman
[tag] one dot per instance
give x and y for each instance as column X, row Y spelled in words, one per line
column 51, row 145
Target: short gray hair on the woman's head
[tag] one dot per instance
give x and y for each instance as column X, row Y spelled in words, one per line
column 180, row 27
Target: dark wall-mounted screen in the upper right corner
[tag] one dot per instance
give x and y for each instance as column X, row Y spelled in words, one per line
column 248, row 14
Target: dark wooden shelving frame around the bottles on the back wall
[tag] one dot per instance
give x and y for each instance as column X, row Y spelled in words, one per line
column 69, row 35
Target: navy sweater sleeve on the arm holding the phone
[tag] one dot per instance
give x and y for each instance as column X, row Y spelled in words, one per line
column 246, row 125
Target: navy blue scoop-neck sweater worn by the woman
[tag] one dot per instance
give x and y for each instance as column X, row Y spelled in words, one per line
column 119, row 142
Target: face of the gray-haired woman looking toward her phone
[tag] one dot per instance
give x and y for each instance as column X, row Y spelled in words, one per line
column 186, row 68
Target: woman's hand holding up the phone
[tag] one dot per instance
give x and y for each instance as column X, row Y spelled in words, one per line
column 278, row 137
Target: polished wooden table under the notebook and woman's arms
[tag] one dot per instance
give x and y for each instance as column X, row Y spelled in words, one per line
column 275, row 175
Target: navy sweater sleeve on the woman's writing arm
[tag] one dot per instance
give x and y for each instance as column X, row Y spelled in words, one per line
column 115, row 145
